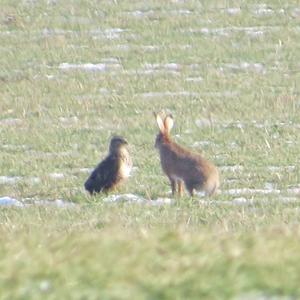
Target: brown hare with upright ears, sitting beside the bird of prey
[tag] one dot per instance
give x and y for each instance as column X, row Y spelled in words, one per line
column 183, row 166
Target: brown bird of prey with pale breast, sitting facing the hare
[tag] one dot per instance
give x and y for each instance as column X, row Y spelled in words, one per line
column 111, row 171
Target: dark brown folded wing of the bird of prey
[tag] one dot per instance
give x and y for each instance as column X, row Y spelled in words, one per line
column 104, row 176
